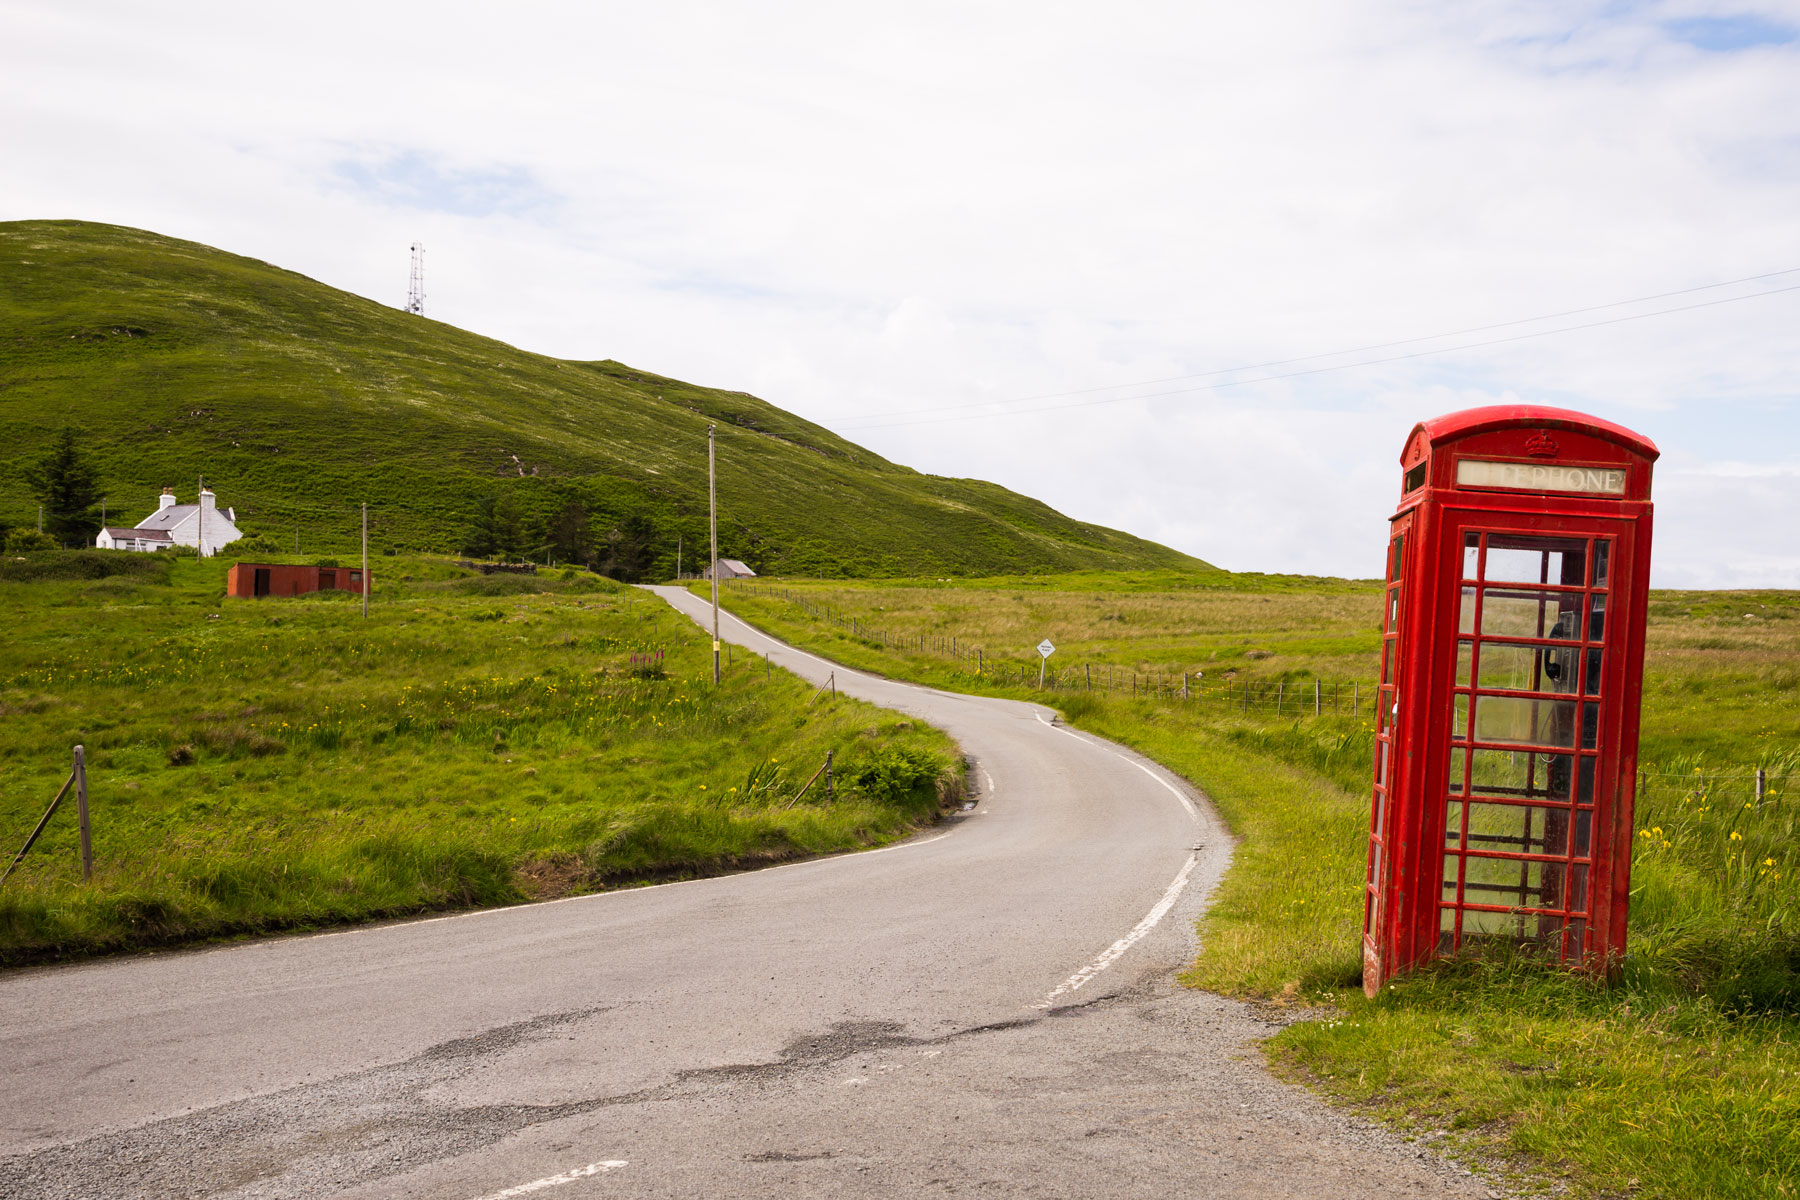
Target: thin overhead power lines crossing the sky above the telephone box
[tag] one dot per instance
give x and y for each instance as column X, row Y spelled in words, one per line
column 960, row 411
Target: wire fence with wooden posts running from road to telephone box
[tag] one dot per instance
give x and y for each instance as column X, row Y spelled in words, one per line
column 1286, row 697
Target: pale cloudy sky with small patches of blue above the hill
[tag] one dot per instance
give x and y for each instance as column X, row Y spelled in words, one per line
column 1041, row 244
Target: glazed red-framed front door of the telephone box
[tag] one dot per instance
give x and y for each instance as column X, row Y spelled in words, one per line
column 1531, row 721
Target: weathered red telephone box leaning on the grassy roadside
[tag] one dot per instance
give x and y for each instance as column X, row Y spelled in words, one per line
column 1511, row 679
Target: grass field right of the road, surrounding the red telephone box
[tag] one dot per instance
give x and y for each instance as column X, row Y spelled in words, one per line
column 1680, row 1080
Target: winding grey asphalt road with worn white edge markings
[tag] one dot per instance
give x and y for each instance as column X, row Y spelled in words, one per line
column 987, row 1008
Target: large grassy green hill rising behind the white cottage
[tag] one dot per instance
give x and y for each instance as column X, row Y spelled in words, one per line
column 298, row 402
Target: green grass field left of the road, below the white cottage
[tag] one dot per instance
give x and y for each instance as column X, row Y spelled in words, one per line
column 265, row 766
